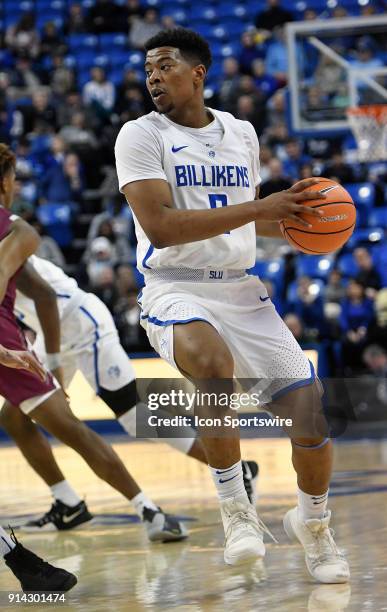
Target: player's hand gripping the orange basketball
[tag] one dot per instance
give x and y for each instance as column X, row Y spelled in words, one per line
column 287, row 204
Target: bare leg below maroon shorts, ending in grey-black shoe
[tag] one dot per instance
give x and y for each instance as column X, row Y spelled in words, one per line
column 55, row 416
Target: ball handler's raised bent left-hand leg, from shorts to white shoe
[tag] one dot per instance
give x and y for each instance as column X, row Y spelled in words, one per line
column 202, row 355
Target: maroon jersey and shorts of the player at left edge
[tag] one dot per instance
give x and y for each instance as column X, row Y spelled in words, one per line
column 16, row 385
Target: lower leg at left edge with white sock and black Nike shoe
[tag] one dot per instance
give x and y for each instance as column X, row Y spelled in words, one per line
column 38, row 452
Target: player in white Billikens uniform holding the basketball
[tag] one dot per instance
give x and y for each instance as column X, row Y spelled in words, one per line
column 191, row 176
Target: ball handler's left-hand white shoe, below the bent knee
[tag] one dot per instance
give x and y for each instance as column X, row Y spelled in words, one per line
column 243, row 531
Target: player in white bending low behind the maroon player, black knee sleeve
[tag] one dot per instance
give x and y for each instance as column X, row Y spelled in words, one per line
column 67, row 322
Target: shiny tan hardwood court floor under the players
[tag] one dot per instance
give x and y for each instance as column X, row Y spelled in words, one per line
column 119, row 571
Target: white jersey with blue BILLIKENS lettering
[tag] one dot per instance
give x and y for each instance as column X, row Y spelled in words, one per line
column 201, row 176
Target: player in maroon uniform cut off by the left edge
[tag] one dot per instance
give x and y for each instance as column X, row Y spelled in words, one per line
column 45, row 401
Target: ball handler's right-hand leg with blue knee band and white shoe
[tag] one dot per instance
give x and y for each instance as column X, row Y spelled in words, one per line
column 312, row 460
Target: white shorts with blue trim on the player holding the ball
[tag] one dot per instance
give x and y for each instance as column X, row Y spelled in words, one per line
column 262, row 346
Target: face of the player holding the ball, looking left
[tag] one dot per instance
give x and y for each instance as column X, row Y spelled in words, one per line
column 170, row 79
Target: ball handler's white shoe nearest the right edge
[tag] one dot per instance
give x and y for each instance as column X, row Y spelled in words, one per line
column 323, row 559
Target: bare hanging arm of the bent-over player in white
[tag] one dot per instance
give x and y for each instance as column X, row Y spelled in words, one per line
column 32, row 285
